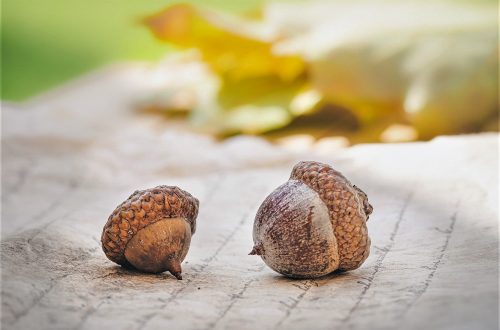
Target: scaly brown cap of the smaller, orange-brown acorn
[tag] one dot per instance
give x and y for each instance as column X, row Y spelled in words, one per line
column 141, row 209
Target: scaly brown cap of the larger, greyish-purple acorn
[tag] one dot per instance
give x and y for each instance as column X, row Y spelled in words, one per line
column 348, row 207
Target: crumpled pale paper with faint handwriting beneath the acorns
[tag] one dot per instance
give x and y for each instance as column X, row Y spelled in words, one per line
column 71, row 156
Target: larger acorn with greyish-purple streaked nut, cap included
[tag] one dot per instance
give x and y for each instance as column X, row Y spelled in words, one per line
column 313, row 224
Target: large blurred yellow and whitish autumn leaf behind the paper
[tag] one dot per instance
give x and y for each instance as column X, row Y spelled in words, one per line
column 431, row 65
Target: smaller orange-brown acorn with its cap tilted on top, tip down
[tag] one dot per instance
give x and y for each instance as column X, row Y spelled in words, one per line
column 151, row 230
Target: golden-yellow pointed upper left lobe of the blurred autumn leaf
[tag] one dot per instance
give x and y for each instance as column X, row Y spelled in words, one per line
column 234, row 49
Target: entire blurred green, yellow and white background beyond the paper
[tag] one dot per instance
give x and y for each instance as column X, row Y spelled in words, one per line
column 365, row 71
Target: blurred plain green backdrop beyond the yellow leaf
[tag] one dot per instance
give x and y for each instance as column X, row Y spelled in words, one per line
column 47, row 42
